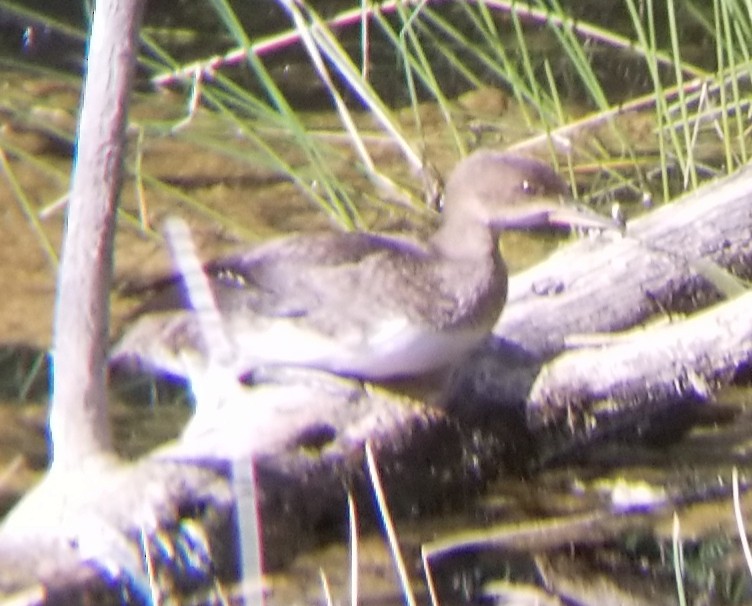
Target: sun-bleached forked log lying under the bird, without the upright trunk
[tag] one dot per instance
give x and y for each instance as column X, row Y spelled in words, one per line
column 306, row 435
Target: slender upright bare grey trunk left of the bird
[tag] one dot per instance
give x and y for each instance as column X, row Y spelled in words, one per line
column 79, row 423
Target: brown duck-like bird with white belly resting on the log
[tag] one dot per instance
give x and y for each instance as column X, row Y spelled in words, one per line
column 369, row 306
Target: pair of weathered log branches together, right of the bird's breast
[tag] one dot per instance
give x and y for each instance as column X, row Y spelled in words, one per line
column 612, row 283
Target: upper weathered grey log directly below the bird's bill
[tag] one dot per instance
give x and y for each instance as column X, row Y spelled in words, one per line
column 614, row 282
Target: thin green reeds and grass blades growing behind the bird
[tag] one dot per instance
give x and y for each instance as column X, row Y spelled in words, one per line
column 620, row 101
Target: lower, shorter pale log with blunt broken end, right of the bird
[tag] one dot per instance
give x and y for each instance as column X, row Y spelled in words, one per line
column 647, row 381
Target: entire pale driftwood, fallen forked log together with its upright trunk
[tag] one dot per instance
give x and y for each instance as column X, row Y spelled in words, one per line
column 82, row 534
